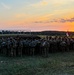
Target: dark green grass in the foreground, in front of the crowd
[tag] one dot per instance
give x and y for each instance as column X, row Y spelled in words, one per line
column 54, row 64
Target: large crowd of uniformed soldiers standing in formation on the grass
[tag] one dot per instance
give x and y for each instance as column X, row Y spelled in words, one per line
column 12, row 46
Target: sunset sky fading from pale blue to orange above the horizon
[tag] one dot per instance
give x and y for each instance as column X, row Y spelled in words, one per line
column 37, row 15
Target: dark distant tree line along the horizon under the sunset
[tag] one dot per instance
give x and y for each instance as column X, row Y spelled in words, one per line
column 52, row 33
